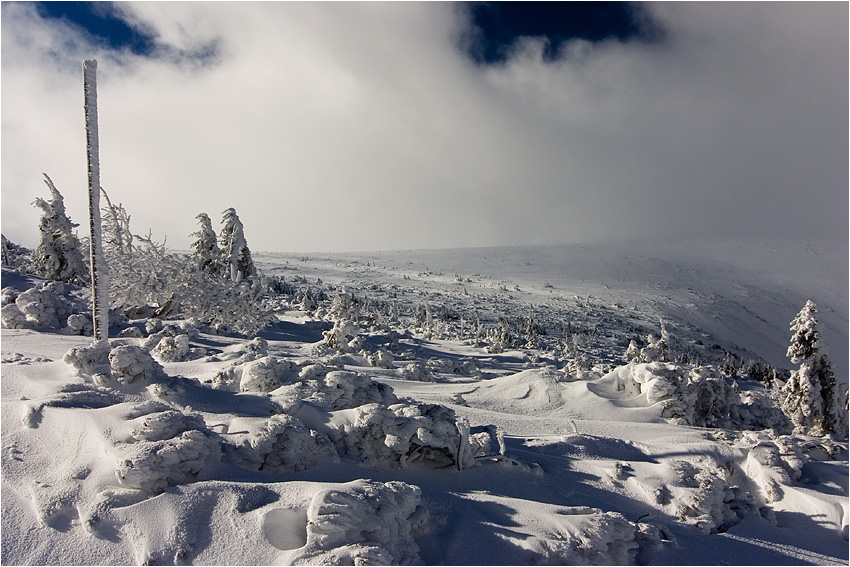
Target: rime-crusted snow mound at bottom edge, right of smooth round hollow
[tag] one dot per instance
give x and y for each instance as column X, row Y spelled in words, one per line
column 364, row 523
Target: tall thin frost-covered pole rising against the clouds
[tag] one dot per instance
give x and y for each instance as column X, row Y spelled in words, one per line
column 99, row 269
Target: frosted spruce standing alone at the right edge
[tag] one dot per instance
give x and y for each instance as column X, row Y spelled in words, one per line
column 814, row 400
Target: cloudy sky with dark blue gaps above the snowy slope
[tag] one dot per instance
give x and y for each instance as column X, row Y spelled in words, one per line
column 391, row 126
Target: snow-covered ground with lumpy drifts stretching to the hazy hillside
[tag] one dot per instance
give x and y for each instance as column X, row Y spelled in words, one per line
column 402, row 411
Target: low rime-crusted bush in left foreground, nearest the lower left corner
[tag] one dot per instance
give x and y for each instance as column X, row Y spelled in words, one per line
column 153, row 466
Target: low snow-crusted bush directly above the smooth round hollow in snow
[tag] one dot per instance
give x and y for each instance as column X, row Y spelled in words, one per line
column 282, row 444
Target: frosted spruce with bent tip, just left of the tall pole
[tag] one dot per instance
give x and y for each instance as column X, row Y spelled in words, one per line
column 59, row 255
